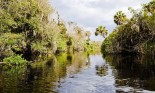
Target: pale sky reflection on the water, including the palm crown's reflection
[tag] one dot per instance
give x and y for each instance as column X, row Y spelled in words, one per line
column 94, row 77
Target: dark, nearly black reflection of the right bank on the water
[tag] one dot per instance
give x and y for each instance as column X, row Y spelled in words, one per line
column 133, row 72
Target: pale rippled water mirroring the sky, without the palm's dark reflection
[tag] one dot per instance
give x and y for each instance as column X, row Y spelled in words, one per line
column 89, row 82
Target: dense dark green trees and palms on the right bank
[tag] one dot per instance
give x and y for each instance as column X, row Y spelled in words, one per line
column 134, row 35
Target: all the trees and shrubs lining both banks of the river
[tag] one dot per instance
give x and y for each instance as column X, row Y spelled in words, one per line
column 28, row 31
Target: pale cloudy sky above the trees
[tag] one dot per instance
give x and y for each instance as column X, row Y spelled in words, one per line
column 92, row 13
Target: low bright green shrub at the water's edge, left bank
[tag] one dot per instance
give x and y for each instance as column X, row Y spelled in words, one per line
column 15, row 60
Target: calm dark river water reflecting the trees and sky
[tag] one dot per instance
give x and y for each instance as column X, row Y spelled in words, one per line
column 82, row 73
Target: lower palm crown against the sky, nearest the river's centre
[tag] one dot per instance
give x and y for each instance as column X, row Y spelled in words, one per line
column 102, row 31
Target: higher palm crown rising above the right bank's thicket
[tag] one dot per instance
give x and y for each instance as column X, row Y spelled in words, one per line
column 120, row 18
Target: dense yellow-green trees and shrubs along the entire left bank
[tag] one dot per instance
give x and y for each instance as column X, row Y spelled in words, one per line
column 28, row 31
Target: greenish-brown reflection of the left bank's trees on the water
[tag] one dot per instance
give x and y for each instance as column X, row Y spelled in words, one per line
column 41, row 77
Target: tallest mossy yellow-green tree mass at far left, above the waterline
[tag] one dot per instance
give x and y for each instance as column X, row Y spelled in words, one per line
column 26, row 22
